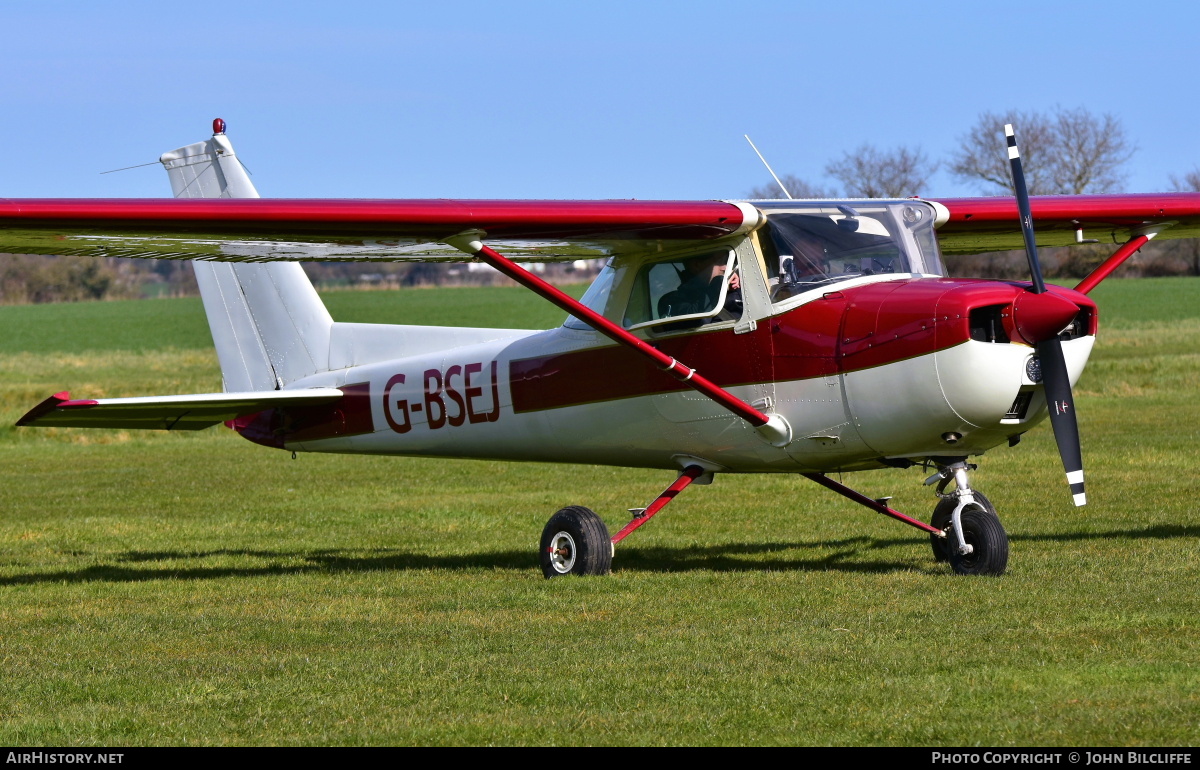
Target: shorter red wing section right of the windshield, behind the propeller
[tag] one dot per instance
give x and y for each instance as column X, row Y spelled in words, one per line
column 988, row 225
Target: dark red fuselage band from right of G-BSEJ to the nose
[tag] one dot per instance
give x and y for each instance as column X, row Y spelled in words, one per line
column 844, row 332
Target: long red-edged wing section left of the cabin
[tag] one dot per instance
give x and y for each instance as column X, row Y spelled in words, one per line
column 317, row 231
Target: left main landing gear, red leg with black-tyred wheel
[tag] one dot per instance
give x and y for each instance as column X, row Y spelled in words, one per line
column 577, row 542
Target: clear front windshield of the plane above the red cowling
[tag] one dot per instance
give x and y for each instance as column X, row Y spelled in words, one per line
column 812, row 246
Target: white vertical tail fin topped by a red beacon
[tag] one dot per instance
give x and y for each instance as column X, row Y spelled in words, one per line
column 268, row 324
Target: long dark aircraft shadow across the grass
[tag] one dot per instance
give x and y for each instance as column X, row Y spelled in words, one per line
column 719, row 558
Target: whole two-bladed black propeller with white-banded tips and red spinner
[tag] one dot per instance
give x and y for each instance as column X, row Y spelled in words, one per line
column 1042, row 314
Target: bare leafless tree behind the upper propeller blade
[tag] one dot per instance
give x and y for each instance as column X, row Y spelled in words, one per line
column 1069, row 153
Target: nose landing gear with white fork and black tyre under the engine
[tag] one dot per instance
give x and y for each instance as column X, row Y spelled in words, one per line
column 975, row 542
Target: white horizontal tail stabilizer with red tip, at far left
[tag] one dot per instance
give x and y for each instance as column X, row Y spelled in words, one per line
column 167, row 413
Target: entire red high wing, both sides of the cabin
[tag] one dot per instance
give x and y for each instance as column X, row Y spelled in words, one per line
column 322, row 230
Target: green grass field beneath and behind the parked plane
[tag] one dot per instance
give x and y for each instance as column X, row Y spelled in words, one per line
column 200, row 589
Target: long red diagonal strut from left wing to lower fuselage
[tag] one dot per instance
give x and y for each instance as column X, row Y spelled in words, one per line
column 773, row 429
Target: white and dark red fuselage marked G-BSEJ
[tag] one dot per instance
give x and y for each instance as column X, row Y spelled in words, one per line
column 869, row 372
